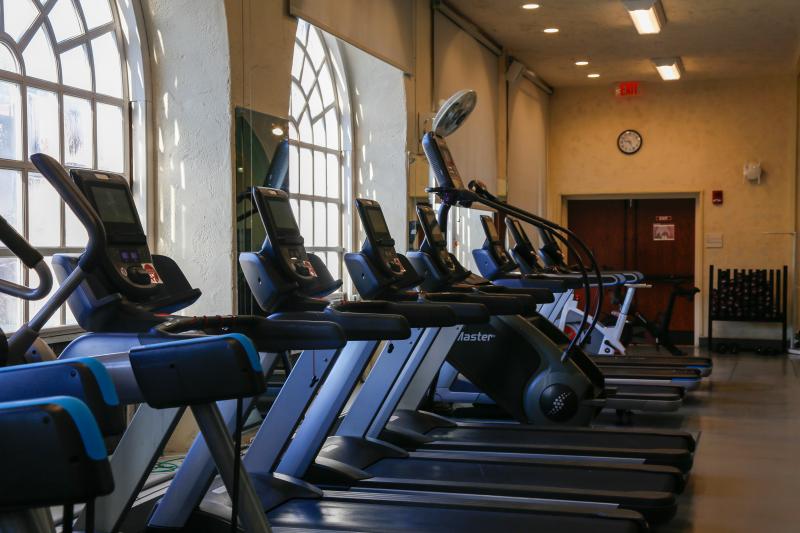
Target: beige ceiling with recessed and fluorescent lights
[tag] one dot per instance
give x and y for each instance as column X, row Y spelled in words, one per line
column 717, row 39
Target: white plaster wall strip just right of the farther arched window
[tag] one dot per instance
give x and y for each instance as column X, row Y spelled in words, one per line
column 379, row 120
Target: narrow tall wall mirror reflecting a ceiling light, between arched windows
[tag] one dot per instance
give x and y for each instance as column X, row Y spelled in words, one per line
column 262, row 160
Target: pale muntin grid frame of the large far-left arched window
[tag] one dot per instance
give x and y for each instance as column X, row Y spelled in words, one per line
column 23, row 166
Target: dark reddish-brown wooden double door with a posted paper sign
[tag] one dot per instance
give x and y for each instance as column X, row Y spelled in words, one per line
column 653, row 236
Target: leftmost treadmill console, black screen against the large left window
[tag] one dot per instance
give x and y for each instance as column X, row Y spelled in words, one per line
column 127, row 259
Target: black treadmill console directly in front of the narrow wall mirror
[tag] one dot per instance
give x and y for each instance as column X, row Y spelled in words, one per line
column 284, row 242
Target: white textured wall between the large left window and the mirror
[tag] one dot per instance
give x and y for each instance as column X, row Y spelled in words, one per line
column 190, row 73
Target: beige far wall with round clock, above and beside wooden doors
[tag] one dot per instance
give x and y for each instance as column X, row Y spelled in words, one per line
column 697, row 136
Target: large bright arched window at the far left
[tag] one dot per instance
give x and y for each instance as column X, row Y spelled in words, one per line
column 63, row 92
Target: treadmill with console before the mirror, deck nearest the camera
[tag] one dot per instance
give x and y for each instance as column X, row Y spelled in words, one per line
column 292, row 283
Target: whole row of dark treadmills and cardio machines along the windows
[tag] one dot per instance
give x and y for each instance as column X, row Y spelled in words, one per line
column 344, row 445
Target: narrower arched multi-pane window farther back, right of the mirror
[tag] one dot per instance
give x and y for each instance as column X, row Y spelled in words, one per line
column 316, row 177
